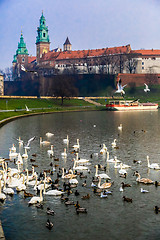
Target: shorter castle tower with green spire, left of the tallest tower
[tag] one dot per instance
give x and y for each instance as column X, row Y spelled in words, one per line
column 21, row 56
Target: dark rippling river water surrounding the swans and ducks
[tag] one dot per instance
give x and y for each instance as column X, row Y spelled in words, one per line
column 106, row 218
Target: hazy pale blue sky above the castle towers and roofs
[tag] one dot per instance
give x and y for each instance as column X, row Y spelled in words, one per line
column 89, row 24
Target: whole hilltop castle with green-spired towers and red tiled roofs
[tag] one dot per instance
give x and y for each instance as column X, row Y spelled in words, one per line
column 113, row 60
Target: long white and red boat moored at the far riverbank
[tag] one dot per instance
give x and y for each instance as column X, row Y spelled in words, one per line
column 130, row 105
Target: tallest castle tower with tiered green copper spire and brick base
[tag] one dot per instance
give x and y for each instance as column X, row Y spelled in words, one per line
column 42, row 41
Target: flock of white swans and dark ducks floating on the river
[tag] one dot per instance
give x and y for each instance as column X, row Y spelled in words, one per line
column 62, row 182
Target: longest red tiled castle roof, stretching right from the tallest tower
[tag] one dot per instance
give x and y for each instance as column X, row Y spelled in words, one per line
column 85, row 53
